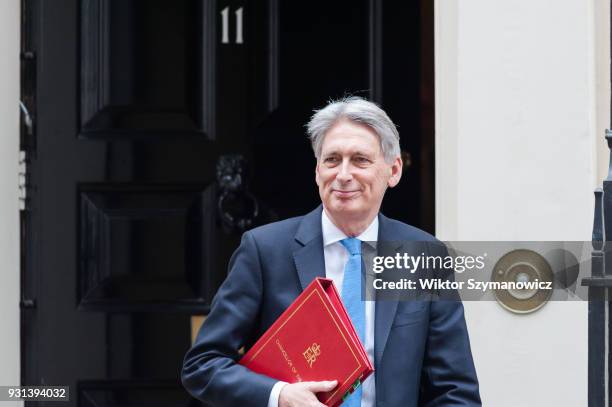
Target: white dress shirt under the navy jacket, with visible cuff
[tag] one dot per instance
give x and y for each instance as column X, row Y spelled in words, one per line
column 336, row 257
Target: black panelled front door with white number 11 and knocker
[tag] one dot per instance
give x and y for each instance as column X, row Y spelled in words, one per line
column 162, row 130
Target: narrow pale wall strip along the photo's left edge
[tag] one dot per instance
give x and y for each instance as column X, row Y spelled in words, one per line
column 9, row 204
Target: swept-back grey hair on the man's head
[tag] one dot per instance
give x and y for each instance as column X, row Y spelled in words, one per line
column 359, row 110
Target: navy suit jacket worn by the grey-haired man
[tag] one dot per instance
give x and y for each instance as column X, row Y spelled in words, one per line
column 422, row 350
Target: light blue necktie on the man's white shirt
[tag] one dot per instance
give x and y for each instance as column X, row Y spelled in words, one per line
column 351, row 297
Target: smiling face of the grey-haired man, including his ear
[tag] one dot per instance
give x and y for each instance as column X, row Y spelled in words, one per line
column 351, row 172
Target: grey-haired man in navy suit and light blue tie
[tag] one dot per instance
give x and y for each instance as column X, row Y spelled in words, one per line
column 420, row 350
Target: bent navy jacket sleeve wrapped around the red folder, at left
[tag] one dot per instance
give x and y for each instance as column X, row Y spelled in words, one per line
column 210, row 372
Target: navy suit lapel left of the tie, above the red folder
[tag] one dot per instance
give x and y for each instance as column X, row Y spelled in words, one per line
column 308, row 257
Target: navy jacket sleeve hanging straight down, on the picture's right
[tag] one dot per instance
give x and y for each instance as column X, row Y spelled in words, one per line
column 448, row 376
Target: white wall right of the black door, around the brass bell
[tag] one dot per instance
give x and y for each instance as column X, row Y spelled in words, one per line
column 519, row 99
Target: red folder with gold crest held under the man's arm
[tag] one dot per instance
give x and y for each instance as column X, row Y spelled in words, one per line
column 313, row 340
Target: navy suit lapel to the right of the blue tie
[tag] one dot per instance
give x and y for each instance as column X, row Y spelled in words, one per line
column 384, row 309
